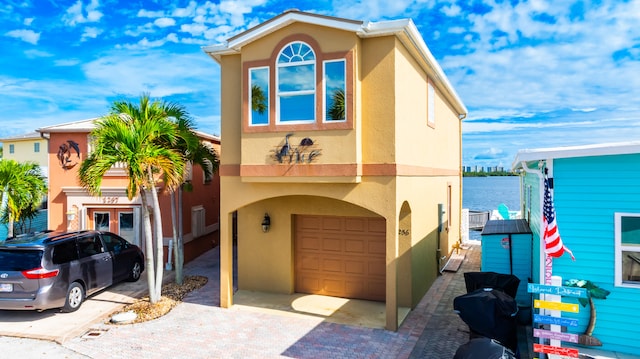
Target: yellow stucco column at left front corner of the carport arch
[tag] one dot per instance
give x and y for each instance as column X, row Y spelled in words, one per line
column 226, row 261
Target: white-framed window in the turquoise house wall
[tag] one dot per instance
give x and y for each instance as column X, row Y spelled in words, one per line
column 627, row 263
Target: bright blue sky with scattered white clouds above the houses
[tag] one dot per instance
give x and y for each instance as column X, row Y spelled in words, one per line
column 532, row 74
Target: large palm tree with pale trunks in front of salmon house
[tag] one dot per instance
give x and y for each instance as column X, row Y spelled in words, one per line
column 137, row 135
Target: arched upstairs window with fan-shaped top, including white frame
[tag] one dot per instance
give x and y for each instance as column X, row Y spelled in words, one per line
column 296, row 84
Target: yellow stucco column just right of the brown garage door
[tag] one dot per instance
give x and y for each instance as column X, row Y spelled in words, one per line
column 391, row 304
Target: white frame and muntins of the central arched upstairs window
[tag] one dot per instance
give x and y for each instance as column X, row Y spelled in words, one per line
column 295, row 93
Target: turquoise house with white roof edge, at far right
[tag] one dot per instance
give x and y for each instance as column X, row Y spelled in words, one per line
column 596, row 193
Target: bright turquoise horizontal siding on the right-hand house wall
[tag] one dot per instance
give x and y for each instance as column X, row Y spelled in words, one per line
column 587, row 193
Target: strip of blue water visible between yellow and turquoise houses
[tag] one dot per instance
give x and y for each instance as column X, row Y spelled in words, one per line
column 487, row 193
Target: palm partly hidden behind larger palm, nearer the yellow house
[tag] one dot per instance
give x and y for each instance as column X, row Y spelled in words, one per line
column 196, row 152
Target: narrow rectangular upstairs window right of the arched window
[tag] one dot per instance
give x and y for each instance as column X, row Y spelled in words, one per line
column 335, row 88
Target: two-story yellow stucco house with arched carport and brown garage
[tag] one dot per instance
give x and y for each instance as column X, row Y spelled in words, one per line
column 342, row 155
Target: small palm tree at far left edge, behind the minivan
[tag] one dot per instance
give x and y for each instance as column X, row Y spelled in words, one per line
column 22, row 187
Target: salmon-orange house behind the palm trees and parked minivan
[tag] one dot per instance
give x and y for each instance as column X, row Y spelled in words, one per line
column 72, row 208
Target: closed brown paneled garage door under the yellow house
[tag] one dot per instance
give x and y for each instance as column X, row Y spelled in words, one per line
column 340, row 256
